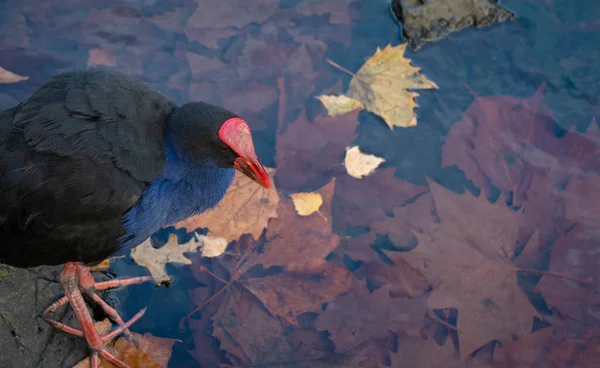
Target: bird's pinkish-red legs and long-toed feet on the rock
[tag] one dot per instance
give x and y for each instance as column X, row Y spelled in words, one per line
column 76, row 278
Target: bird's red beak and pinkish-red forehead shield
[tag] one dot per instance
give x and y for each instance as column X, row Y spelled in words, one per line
column 236, row 134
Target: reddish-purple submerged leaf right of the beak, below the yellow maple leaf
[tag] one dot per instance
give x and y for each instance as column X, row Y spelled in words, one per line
column 309, row 152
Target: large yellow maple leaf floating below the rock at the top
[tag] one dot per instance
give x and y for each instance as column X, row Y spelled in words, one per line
column 382, row 86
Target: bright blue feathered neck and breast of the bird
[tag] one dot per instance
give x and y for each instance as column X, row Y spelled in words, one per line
column 184, row 189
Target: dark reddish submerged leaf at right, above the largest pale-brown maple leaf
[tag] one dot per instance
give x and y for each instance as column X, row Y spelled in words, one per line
column 509, row 143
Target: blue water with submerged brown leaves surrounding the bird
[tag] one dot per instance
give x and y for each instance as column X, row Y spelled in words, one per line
column 508, row 121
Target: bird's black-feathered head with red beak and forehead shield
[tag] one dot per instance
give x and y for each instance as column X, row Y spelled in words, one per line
column 206, row 133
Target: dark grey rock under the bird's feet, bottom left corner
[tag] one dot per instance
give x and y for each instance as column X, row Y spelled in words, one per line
column 26, row 340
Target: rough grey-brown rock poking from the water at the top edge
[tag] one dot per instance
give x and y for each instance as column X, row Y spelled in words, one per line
column 431, row 20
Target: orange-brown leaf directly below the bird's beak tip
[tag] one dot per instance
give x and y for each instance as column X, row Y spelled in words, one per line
column 245, row 209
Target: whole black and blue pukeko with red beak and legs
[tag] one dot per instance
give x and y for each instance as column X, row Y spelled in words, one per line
column 93, row 163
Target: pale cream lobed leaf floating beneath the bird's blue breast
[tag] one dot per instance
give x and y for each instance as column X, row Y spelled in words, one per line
column 155, row 259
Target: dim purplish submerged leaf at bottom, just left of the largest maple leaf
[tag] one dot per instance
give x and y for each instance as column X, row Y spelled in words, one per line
column 359, row 315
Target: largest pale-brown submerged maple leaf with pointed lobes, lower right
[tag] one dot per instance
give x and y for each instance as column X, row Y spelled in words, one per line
column 467, row 259
